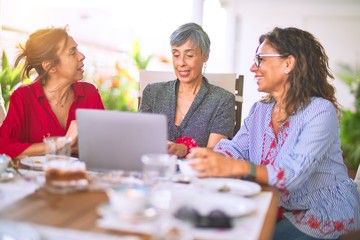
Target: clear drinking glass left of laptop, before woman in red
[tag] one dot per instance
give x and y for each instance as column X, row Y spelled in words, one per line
column 57, row 148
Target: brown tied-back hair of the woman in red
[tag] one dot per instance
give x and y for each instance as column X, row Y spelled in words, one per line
column 42, row 45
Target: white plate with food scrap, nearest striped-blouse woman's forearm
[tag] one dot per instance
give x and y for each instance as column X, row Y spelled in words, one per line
column 234, row 186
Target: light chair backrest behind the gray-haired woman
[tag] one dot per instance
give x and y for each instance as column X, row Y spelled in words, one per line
column 228, row 81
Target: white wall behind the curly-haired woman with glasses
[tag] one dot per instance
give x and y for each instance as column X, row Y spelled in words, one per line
column 336, row 23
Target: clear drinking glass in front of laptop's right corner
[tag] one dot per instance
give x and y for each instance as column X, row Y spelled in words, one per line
column 158, row 167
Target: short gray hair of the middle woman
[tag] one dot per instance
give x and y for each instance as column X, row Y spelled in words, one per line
column 194, row 32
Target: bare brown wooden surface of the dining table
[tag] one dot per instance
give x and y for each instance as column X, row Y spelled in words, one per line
column 79, row 211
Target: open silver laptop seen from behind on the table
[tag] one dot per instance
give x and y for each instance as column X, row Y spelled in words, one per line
column 115, row 140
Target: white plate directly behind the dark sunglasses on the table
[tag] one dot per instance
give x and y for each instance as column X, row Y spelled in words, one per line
column 233, row 206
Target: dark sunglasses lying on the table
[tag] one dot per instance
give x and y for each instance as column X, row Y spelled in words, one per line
column 214, row 219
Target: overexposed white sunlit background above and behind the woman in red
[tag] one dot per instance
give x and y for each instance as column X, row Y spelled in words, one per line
column 104, row 29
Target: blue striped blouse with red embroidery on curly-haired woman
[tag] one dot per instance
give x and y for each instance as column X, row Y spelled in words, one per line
column 305, row 163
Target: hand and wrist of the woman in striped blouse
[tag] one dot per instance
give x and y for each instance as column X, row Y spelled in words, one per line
column 212, row 164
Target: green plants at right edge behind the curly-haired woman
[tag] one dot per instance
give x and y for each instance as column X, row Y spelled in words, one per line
column 350, row 119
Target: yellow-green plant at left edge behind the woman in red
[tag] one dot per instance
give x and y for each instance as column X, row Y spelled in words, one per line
column 10, row 78
